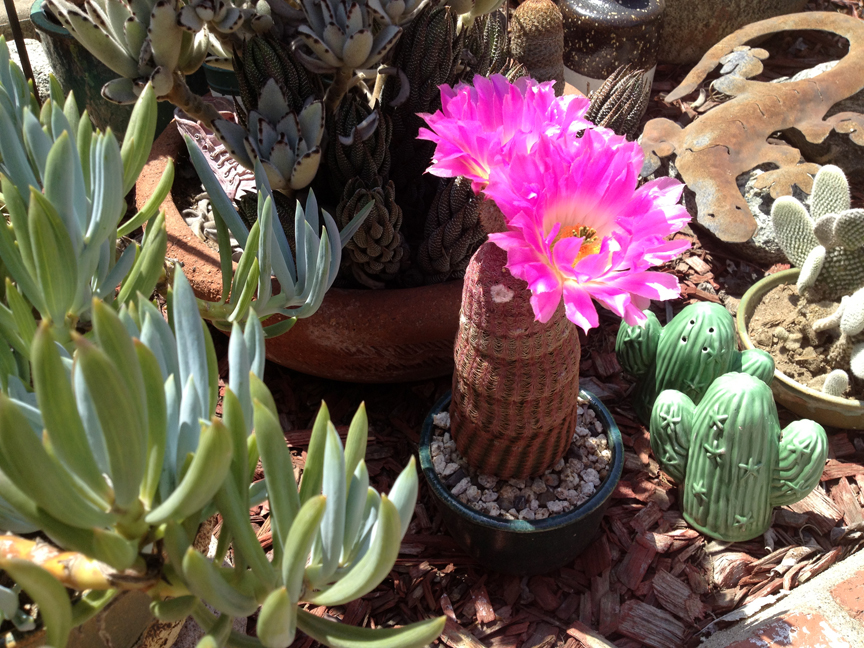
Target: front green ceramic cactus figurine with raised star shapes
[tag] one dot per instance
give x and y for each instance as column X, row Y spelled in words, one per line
column 732, row 458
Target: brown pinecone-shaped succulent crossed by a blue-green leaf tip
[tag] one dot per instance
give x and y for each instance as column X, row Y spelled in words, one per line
column 375, row 252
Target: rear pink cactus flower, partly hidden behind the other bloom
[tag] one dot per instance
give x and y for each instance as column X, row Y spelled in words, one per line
column 477, row 127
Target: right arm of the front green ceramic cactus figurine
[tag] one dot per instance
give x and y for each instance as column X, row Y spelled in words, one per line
column 803, row 451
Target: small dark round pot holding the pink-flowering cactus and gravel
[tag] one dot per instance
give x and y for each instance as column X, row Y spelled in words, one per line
column 521, row 546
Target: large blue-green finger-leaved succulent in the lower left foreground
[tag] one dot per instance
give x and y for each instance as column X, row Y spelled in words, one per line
column 138, row 455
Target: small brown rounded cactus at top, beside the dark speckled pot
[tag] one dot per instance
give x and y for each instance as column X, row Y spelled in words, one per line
column 537, row 40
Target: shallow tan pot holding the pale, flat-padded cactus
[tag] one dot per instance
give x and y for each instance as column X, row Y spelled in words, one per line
column 808, row 403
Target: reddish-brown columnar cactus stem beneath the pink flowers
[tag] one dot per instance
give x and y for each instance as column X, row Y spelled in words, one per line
column 515, row 387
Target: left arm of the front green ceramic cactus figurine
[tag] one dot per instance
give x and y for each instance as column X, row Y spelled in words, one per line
column 670, row 432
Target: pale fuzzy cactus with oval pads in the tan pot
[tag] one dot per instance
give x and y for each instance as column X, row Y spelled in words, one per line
column 828, row 245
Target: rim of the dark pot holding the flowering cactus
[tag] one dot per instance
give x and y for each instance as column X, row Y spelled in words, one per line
column 527, row 526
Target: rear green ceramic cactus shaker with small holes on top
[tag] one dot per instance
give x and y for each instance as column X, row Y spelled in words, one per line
column 696, row 347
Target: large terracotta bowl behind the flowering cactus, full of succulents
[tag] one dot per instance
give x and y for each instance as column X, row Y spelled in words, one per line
column 368, row 336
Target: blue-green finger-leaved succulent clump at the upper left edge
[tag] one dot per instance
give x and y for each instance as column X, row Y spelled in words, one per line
column 63, row 187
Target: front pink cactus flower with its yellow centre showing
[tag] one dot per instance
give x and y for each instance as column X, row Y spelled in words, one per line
column 579, row 229
